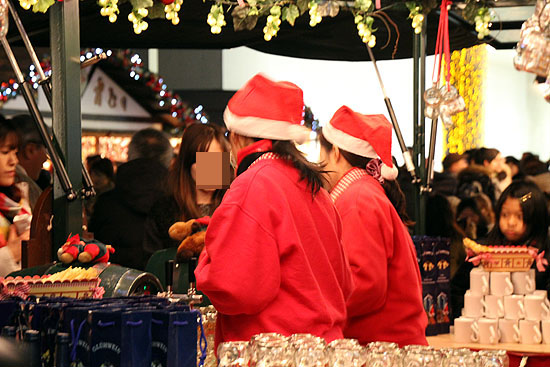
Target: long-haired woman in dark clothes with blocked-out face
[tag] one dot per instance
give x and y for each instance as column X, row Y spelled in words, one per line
column 185, row 201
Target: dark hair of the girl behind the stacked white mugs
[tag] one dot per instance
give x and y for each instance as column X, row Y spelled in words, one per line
column 535, row 214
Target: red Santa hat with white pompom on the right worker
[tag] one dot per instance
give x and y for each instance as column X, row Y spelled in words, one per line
column 365, row 135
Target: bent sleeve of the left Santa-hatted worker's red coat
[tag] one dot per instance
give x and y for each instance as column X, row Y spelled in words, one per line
column 239, row 270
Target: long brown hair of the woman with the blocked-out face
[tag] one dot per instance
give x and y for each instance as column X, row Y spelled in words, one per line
column 196, row 138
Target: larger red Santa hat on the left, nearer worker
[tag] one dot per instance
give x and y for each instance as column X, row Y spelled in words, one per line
column 267, row 109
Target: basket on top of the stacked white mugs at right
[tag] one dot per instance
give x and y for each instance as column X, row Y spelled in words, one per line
column 504, row 258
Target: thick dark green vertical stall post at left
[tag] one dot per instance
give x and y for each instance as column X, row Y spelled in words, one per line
column 65, row 48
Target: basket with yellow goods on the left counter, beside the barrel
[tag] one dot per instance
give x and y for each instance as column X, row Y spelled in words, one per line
column 72, row 282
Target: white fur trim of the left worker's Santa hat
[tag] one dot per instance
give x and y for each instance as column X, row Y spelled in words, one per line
column 257, row 127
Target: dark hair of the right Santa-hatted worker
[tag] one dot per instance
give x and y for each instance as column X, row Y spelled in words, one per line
column 391, row 188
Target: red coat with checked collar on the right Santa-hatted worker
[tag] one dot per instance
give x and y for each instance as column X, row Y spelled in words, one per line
column 386, row 304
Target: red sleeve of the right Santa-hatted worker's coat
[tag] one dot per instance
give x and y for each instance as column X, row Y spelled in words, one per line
column 367, row 239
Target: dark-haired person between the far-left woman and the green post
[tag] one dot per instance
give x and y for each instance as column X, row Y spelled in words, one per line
column 31, row 155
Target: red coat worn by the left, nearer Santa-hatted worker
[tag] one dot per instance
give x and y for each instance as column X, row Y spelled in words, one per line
column 273, row 260
